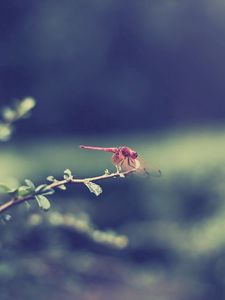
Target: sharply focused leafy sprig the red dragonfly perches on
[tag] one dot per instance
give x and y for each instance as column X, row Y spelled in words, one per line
column 29, row 191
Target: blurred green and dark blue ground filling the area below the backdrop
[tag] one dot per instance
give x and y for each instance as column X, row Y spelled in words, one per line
column 175, row 224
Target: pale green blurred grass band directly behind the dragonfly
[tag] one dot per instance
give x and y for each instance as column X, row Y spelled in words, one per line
column 193, row 151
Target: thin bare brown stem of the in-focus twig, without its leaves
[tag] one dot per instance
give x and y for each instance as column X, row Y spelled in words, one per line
column 18, row 200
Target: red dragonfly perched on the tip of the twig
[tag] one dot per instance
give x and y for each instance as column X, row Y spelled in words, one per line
column 126, row 159
